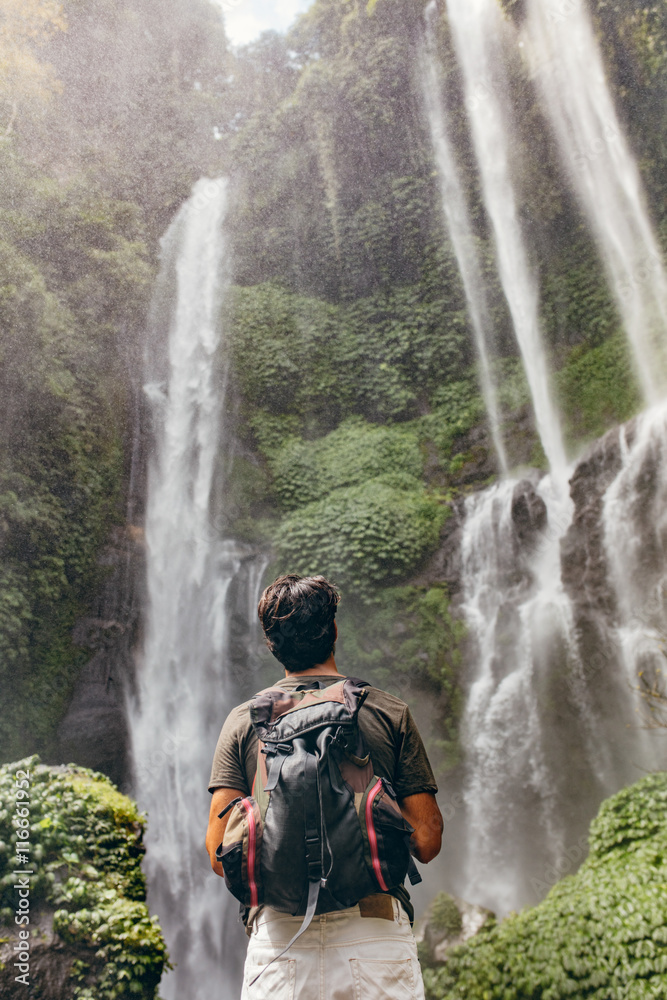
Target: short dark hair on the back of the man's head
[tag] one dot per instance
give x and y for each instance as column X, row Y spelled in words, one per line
column 297, row 615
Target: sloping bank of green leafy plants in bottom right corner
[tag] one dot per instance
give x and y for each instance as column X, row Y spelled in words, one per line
column 599, row 934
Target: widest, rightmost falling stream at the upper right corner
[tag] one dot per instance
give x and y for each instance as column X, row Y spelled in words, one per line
column 593, row 147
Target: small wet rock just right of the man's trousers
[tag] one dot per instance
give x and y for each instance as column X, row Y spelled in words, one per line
column 448, row 922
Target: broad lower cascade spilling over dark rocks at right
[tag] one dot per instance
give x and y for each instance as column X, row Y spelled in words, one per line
column 558, row 638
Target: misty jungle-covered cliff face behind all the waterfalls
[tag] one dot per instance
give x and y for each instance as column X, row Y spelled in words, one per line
column 358, row 416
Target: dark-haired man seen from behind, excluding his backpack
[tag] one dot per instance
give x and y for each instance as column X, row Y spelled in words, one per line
column 366, row 951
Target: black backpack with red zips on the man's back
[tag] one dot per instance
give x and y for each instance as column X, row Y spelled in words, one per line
column 320, row 831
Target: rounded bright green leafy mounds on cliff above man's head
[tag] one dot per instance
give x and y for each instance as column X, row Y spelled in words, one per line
column 360, row 509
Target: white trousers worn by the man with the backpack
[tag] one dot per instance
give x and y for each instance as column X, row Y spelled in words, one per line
column 342, row 956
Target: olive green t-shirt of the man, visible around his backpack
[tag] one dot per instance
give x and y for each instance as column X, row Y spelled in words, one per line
column 386, row 725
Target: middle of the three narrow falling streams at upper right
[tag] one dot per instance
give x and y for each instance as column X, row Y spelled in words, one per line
column 477, row 28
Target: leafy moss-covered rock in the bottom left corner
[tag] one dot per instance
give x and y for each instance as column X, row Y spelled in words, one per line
column 78, row 905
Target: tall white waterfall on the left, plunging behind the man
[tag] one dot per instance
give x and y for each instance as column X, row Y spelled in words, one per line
column 197, row 587
